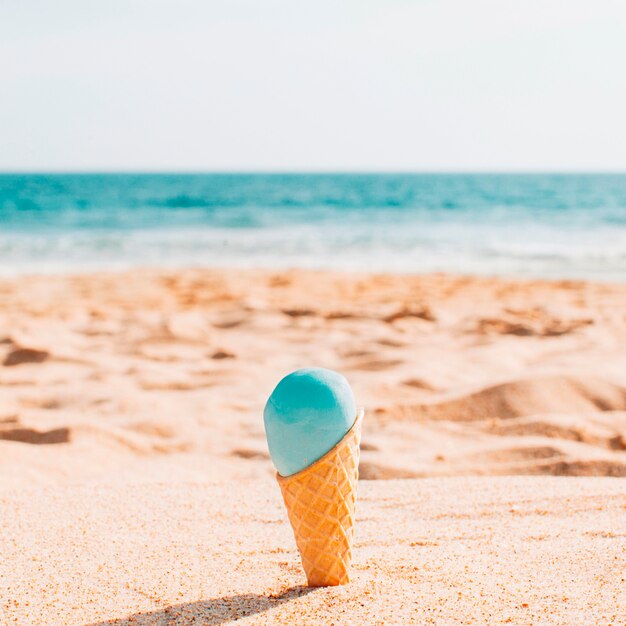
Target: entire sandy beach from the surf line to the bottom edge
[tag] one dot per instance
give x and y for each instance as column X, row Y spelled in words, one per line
column 135, row 482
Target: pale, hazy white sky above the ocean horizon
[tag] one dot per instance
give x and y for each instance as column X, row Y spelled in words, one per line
column 331, row 85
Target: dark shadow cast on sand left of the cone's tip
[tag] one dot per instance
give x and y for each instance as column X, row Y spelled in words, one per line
column 212, row 611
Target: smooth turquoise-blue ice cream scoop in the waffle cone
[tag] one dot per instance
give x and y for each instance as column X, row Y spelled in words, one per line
column 308, row 414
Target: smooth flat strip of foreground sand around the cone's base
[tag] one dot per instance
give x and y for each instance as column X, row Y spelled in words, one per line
column 493, row 550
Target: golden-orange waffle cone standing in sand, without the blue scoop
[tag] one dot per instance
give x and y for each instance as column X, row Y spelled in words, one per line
column 321, row 501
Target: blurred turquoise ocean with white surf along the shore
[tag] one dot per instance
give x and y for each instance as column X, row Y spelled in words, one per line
column 554, row 226
